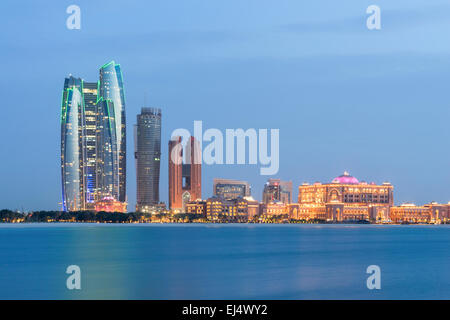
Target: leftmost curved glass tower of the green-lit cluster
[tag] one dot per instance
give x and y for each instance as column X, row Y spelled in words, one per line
column 71, row 144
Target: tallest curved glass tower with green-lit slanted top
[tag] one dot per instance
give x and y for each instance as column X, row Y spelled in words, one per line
column 111, row 134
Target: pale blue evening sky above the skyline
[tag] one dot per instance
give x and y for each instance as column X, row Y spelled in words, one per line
column 373, row 102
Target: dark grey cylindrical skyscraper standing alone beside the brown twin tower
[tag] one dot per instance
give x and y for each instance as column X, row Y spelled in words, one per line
column 148, row 157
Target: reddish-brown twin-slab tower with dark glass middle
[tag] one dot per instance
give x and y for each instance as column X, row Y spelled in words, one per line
column 185, row 179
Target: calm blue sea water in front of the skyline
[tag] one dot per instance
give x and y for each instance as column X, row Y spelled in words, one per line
column 224, row 261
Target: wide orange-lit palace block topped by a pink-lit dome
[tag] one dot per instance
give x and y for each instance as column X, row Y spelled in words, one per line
column 345, row 198
